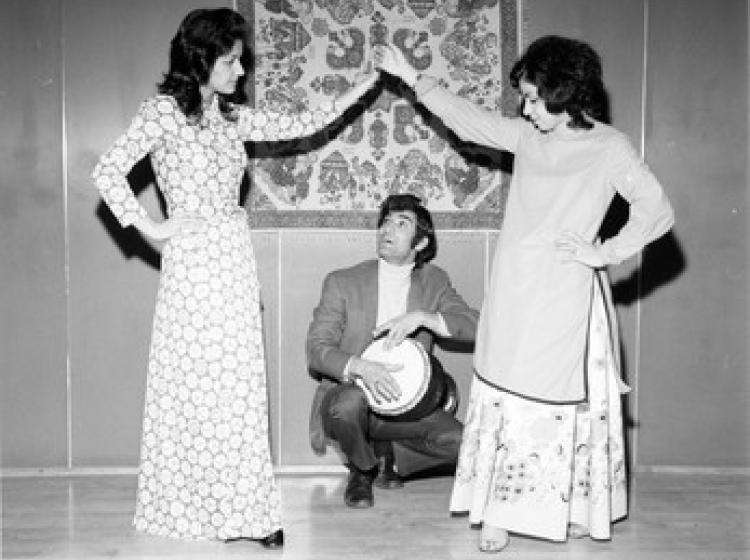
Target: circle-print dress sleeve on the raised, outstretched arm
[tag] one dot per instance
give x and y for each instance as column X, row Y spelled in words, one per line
column 256, row 125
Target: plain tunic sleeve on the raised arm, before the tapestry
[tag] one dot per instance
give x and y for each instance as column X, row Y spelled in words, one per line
column 469, row 121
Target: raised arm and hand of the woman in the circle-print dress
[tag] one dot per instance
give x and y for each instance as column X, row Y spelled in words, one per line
column 260, row 126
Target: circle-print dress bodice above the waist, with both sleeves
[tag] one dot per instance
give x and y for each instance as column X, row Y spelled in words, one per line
column 198, row 167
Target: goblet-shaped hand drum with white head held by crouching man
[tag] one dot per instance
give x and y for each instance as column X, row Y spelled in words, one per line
column 422, row 380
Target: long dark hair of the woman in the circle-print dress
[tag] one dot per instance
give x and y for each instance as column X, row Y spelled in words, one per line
column 204, row 35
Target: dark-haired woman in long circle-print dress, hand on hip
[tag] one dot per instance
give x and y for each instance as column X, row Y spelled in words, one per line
column 205, row 468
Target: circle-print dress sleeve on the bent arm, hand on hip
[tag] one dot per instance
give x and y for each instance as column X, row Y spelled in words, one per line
column 110, row 173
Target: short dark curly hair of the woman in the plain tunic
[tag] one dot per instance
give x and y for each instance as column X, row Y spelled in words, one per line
column 568, row 76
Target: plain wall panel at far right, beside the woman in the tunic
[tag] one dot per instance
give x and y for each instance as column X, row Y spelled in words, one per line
column 694, row 386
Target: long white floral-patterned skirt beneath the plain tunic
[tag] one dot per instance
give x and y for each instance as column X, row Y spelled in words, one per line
column 532, row 468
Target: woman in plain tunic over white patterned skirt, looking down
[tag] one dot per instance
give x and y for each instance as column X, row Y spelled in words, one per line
column 542, row 452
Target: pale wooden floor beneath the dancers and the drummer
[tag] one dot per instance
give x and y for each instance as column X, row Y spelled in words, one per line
column 673, row 517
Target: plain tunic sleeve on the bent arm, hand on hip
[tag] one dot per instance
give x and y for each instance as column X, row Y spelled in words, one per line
column 651, row 214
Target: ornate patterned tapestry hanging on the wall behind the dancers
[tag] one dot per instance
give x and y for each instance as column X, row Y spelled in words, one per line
column 306, row 51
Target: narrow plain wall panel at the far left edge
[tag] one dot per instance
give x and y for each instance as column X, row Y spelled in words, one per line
column 33, row 338
